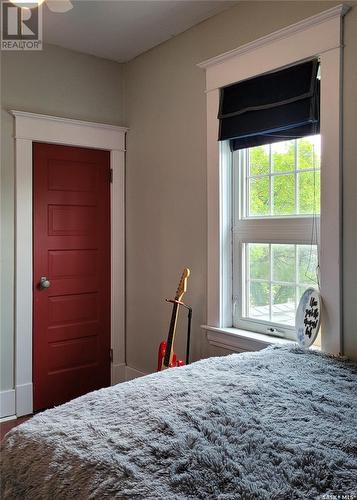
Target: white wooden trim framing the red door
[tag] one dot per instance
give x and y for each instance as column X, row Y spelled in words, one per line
column 29, row 128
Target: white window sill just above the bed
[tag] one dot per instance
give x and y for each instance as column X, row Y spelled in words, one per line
column 238, row 340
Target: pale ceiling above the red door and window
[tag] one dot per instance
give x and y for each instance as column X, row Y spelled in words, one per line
column 122, row 29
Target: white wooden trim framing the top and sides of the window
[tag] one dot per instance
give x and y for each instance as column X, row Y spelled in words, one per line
column 318, row 36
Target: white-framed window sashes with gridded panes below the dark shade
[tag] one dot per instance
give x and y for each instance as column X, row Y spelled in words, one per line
column 274, row 185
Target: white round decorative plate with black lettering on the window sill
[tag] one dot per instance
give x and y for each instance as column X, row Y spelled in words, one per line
column 308, row 317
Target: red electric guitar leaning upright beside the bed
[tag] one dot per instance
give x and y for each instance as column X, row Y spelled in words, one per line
column 167, row 358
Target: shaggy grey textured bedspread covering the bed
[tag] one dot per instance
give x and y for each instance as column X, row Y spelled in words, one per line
column 278, row 424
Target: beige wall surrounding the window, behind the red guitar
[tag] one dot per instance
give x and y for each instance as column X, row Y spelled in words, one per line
column 166, row 171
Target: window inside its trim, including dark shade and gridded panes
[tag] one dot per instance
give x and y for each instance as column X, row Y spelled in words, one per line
column 272, row 123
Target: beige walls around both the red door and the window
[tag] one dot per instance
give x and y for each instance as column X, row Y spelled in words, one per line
column 165, row 108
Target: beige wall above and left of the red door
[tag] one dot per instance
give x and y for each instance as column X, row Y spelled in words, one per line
column 57, row 82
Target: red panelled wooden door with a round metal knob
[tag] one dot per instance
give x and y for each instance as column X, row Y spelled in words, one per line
column 71, row 342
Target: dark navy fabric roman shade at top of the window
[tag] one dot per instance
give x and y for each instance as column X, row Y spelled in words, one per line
column 272, row 107
